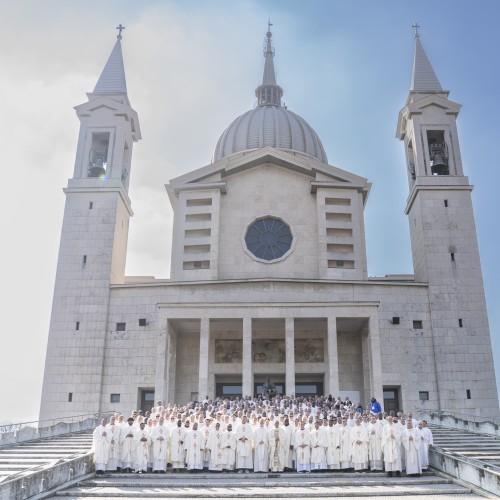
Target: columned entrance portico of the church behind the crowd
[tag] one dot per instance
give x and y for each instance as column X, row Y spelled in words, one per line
column 234, row 350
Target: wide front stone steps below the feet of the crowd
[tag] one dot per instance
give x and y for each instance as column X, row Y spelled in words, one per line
column 231, row 486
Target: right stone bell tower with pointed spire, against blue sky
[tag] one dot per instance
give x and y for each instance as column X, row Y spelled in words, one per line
column 444, row 244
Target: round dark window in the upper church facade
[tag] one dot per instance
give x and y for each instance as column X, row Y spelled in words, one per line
column 269, row 238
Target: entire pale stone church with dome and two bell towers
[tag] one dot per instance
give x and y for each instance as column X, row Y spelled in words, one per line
column 269, row 274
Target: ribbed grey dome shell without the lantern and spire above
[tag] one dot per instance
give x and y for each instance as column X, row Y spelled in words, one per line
column 273, row 126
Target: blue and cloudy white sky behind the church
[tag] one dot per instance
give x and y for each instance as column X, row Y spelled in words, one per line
column 191, row 68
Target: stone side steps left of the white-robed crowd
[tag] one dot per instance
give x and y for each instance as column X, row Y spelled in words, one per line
column 19, row 458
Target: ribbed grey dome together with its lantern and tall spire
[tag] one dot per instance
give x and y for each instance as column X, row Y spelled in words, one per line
column 270, row 123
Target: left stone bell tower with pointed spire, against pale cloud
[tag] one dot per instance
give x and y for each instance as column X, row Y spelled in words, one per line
column 93, row 245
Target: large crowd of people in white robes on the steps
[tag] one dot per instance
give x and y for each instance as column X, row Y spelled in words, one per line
column 279, row 434
